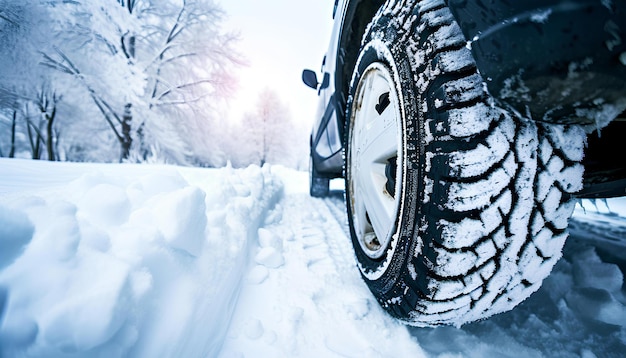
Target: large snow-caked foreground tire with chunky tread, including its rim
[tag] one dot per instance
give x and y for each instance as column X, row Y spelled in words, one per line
column 475, row 201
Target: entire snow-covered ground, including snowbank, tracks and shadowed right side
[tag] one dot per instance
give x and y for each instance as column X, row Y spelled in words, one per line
column 102, row 260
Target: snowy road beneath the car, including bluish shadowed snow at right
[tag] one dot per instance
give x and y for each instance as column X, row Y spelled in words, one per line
column 579, row 312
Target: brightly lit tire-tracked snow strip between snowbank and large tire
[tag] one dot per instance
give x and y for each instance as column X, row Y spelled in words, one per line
column 314, row 303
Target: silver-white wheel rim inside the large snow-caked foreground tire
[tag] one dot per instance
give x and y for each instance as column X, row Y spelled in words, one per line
column 374, row 160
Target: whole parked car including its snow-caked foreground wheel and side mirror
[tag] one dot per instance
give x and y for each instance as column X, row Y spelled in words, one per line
column 554, row 68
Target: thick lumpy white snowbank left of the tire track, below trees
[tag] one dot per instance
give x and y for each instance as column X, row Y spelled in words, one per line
column 111, row 260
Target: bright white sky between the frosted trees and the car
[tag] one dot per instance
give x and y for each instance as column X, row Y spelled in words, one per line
column 278, row 39
